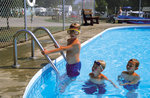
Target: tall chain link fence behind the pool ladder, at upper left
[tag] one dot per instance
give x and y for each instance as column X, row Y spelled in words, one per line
column 55, row 15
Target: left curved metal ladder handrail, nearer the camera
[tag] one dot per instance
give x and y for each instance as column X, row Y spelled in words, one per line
column 40, row 46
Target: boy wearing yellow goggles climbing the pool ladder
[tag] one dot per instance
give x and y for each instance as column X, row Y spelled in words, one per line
column 72, row 49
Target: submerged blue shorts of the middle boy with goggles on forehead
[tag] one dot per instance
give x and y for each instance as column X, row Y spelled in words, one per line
column 91, row 88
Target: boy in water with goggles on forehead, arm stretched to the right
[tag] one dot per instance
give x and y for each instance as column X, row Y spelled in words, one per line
column 97, row 79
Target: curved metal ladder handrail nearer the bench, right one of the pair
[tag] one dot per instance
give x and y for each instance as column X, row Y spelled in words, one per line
column 51, row 36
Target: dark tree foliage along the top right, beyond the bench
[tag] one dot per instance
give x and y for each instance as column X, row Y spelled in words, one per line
column 115, row 4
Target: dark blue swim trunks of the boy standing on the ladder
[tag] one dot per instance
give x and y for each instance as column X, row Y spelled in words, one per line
column 73, row 70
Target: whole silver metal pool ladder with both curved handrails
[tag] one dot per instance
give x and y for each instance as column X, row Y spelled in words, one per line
column 33, row 38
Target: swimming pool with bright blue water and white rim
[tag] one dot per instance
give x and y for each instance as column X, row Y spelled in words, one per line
column 115, row 46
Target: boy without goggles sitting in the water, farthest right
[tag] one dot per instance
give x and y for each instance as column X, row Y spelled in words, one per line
column 129, row 79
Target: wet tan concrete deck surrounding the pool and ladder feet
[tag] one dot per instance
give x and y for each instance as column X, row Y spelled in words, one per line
column 14, row 81
